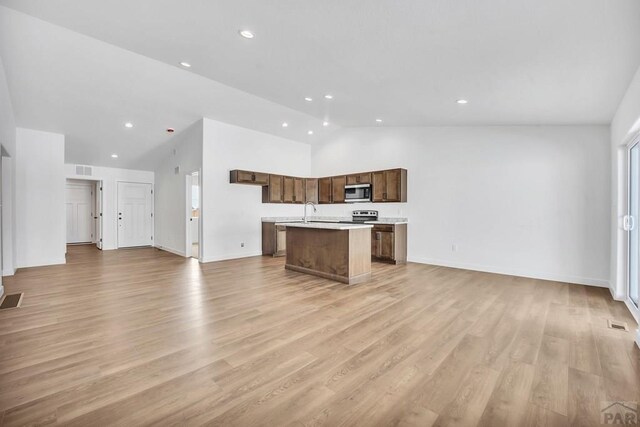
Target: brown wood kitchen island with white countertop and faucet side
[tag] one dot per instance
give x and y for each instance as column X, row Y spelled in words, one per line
column 334, row 251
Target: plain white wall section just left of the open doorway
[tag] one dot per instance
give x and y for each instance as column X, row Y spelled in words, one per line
column 40, row 212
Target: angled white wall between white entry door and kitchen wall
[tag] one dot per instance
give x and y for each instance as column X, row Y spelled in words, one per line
column 170, row 199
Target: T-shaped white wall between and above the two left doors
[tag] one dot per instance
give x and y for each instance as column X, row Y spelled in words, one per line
column 110, row 178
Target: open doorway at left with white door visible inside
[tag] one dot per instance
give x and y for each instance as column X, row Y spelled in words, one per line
column 83, row 201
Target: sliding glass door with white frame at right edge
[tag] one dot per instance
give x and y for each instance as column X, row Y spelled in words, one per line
column 632, row 226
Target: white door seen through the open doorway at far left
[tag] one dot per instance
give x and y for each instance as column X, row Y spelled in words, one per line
column 80, row 223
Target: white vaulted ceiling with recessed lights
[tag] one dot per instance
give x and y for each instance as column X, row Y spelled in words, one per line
column 404, row 62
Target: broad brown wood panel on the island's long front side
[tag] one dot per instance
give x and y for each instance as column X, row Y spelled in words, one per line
column 319, row 251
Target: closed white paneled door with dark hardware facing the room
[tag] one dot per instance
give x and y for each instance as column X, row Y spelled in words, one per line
column 135, row 226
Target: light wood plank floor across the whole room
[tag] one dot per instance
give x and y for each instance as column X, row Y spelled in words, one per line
column 135, row 337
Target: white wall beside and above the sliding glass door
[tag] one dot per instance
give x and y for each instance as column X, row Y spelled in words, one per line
column 624, row 127
